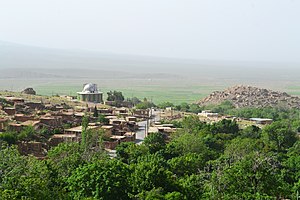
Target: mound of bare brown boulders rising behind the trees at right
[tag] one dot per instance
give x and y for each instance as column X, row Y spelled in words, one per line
column 248, row 96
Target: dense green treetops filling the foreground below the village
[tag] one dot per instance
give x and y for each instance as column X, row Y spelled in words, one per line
column 199, row 161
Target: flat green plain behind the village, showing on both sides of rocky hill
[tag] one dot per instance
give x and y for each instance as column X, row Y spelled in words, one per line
column 157, row 90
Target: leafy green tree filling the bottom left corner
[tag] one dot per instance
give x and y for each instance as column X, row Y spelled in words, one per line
column 23, row 177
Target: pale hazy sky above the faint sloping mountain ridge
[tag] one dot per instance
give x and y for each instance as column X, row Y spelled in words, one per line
column 250, row 30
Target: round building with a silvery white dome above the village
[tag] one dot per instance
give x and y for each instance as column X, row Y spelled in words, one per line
column 90, row 93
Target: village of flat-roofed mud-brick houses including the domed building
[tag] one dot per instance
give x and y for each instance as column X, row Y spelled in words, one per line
column 60, row 120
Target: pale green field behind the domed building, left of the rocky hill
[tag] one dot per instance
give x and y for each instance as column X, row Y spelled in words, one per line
column 157, row 91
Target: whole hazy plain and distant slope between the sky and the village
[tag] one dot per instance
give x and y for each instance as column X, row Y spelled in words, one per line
column 53, row 71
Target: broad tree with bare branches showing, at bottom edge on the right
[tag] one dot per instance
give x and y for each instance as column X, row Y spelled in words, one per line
column 256, row 176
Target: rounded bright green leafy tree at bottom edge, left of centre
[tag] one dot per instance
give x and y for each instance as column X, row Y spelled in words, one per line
column 103, row 179
